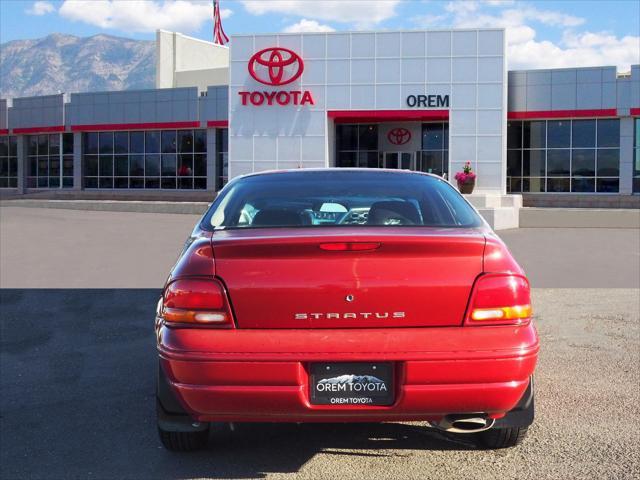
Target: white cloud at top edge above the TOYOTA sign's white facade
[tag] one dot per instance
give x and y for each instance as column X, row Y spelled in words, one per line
column 362, row 13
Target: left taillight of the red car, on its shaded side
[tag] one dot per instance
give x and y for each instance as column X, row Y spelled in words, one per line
column 196, row 302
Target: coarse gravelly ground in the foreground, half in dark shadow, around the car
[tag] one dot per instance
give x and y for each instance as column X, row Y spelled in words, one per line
column 77, row 402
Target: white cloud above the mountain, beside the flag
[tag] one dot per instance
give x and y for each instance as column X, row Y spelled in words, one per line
column 142, row 15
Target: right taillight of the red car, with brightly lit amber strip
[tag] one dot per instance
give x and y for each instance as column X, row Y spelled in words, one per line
column 500, row 299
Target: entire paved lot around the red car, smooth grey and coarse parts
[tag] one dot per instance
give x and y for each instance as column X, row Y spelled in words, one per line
column 77, row 365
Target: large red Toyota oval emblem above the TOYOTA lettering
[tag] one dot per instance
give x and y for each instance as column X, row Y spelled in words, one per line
column 280, row 66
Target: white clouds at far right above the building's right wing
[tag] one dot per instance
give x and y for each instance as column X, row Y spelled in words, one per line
column 574, row 49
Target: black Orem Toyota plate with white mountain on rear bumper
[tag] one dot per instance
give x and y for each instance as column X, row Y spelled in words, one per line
column 353, row 383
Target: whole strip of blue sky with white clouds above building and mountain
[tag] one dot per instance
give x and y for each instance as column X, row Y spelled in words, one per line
column 540, row 33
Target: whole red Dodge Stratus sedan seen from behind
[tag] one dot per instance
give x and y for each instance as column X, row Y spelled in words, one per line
column 345, row 295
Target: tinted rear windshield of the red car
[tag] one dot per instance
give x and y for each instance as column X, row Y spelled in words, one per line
column 340, row 198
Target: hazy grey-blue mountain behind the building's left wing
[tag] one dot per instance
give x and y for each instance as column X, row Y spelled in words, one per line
column 65, row 63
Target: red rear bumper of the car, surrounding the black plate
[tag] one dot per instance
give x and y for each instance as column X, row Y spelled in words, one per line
column 262, row 375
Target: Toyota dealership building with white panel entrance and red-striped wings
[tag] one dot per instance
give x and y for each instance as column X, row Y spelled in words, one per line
column 420, row 100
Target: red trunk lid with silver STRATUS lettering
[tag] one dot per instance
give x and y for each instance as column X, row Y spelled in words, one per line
column 348, row 277
